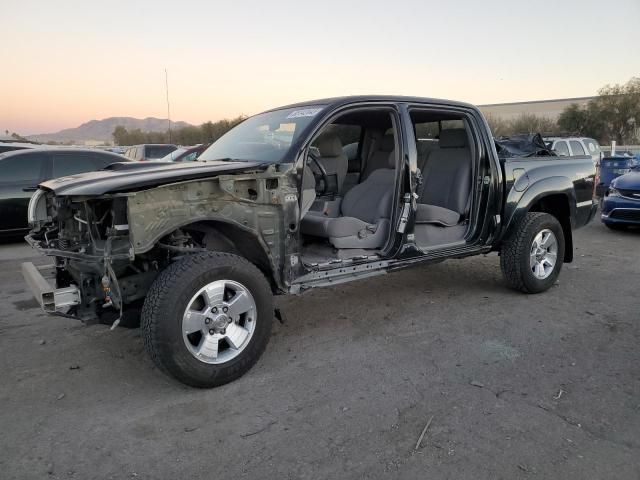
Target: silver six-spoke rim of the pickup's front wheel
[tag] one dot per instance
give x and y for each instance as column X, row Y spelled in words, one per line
column 219, row 321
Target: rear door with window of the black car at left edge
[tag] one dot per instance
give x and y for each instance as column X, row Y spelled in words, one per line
column 19, row 178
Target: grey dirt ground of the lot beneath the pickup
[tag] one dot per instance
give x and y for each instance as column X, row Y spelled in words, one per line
column 516, row 386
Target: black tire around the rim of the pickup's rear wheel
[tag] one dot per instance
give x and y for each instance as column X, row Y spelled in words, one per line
column 515, row 253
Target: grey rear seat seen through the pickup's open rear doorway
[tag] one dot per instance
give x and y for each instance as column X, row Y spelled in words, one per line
column 445, row 193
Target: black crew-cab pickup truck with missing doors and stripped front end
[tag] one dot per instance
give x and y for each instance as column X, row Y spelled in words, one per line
column 303, row 196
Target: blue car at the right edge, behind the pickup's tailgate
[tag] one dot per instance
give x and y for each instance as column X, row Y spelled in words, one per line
column 621, row 204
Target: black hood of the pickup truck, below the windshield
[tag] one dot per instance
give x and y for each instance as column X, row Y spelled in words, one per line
column 125, row 177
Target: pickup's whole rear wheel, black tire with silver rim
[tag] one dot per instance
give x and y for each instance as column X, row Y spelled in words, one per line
column 532, row 256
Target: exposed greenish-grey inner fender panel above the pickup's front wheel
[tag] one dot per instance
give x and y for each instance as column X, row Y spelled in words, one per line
column 247, row 201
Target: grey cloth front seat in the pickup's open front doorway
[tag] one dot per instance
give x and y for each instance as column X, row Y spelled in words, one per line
column 365, row 210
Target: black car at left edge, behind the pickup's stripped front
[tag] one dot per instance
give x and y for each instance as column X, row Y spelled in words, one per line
column 22, row 170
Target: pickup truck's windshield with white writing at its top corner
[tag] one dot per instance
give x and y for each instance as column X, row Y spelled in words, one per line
column 266, row 137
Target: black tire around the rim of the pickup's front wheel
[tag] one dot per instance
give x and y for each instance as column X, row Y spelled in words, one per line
column 164, row 306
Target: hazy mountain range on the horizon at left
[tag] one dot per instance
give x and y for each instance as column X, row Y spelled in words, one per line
column 102, row 130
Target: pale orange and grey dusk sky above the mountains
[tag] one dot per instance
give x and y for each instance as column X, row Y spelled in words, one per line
column 66, row 62
